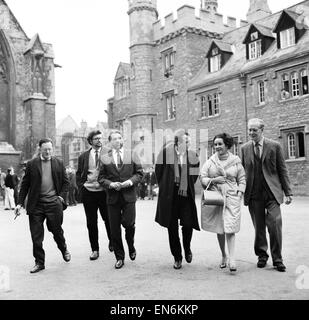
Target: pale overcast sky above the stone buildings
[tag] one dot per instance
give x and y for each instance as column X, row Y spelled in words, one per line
column 90, row 38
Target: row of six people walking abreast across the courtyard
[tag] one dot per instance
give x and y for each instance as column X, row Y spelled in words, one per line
column 107, row 179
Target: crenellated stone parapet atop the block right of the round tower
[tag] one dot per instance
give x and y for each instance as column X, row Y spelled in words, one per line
column 186, row 17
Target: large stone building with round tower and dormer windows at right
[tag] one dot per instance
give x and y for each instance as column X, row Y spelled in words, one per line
column 206, row 74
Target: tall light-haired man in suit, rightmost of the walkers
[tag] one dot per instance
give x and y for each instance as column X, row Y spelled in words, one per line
column 267, row 182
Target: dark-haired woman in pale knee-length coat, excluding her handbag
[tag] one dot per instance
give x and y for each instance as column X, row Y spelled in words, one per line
column 225, row 173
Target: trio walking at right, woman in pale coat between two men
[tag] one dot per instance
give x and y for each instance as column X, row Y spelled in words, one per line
column 260, row 178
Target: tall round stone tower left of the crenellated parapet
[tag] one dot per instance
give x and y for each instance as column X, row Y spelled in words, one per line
column 142, row 15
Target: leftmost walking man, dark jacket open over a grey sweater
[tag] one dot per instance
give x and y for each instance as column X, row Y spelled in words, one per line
column 45, row 182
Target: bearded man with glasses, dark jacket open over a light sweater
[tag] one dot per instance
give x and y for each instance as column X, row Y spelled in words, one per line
column 93, row 195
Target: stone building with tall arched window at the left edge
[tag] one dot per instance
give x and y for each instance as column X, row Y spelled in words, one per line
column 27, row 91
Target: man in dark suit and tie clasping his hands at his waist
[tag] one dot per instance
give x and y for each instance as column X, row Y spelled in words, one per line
column 120, row 174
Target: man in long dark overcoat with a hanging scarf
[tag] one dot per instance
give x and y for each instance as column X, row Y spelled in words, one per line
column 177, row 170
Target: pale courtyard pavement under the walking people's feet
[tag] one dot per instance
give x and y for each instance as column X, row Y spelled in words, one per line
column 151, row 276
